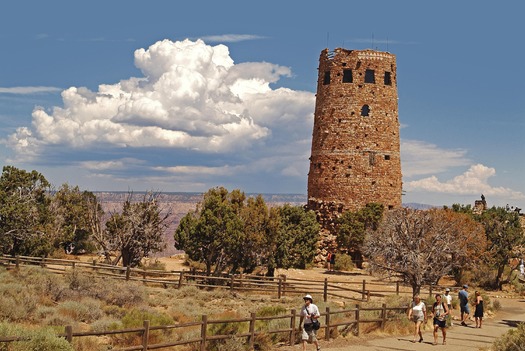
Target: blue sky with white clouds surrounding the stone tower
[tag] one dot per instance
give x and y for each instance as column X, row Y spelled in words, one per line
column 188, row 95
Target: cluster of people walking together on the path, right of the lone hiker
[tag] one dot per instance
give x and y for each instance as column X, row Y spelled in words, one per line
column 442, row 311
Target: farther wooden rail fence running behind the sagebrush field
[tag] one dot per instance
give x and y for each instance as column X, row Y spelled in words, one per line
column 279, row 286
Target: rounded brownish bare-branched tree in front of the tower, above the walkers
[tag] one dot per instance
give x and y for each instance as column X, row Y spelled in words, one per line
column 423, row 246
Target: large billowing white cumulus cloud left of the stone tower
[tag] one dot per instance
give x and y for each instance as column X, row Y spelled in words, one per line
column 191, row 96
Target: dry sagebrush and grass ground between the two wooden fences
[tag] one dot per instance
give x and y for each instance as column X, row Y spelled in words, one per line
column 91, row 303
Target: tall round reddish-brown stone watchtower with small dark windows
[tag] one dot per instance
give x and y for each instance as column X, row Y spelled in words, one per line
column 355, row 156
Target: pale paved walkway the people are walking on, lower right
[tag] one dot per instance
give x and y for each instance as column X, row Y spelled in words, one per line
column 459, row 338
